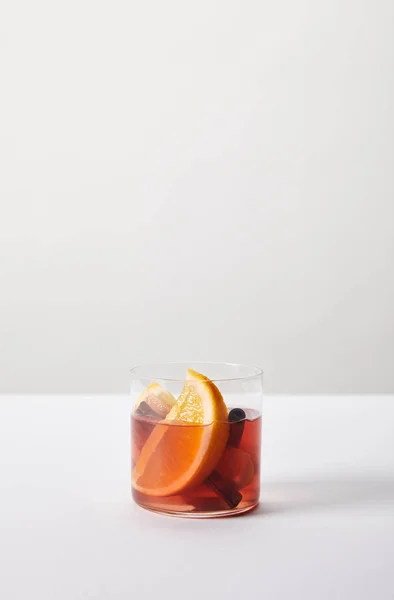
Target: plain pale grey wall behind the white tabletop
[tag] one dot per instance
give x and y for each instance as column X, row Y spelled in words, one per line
column 208, row 180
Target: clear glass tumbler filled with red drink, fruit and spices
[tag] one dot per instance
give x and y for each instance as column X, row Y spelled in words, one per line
column 196, row 438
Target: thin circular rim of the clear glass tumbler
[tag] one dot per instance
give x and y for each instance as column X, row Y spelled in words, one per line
column 257, row 371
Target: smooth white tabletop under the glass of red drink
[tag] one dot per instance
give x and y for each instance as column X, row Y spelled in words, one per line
column 69, row 530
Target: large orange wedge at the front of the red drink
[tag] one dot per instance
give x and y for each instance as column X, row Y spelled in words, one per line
column 184, row 449
